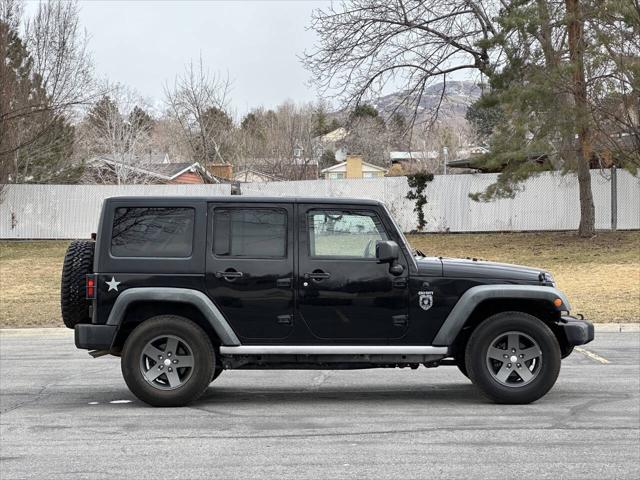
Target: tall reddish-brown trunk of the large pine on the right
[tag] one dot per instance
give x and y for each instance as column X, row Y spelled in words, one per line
column 576, row 54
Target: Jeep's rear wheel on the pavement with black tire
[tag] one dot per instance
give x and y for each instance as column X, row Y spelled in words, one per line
column 194, row 380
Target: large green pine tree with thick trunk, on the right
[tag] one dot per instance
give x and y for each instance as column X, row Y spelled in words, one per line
column 541, row 111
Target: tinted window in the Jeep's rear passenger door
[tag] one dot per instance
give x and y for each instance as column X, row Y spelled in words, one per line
column 250, row 232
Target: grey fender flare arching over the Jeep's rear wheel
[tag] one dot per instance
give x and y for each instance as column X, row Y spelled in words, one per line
column 179, row 295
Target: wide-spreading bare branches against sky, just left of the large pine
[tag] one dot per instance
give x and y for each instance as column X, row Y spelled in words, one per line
column 366, row 46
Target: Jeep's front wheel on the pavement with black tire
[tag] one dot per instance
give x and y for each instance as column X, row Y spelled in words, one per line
column 484, row 371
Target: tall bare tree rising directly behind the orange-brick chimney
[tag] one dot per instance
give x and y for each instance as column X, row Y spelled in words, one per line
column 198, row 101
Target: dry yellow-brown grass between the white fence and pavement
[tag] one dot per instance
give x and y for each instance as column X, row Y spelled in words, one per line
column 601, row 276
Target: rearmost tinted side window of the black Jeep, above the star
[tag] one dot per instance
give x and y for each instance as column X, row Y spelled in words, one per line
column 153, row 232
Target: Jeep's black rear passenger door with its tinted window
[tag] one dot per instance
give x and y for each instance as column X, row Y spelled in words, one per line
column 249, row 273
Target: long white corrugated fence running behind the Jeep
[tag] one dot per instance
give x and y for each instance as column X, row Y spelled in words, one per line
column 546, row 202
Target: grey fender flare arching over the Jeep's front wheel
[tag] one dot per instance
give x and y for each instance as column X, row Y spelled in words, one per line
column 467, row 303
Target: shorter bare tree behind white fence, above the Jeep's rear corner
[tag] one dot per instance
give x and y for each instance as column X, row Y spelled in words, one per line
column 117, row 142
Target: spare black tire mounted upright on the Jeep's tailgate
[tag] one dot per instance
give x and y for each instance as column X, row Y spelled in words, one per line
column 78, row 262
